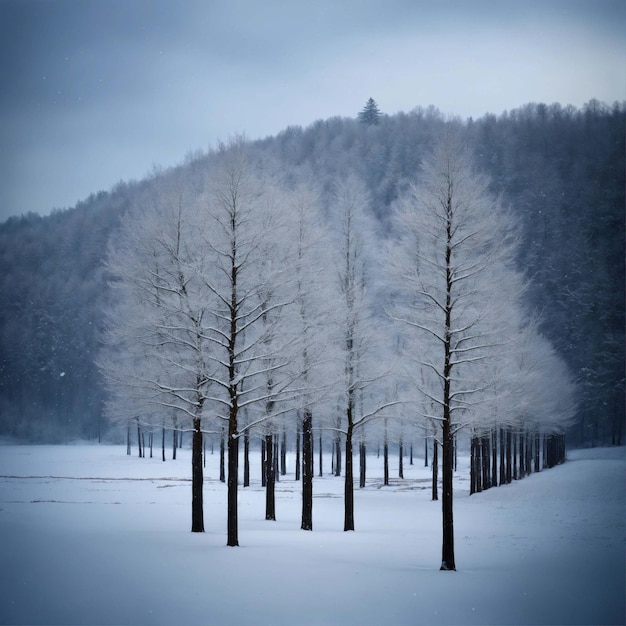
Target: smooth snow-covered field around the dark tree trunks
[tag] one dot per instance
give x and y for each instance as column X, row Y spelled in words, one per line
column 89, row 535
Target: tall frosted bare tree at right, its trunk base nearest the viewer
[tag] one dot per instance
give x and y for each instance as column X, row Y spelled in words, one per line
column 450, row 262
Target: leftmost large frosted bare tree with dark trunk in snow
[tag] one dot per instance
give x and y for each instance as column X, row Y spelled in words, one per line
column 155, row 360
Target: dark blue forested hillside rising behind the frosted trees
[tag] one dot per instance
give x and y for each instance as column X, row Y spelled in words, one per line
column 561, row 170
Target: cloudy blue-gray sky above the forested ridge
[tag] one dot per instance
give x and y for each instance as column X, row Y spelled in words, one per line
column 97, row 91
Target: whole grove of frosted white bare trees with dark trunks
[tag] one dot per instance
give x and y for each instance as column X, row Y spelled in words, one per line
column 235, row 310
